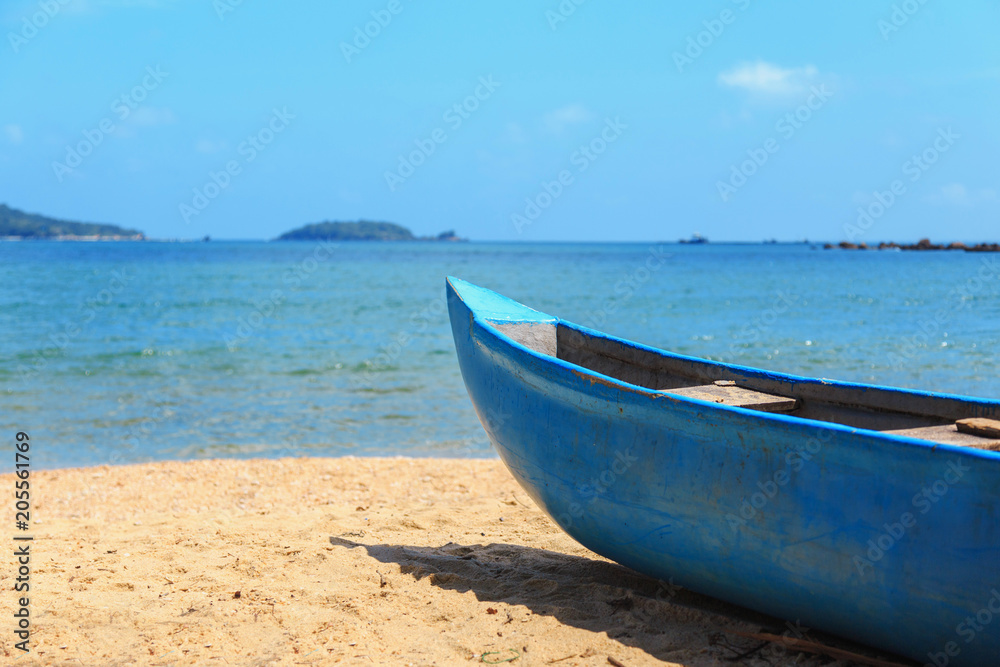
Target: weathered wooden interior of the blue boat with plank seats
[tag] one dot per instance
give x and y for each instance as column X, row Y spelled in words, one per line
column 940, row 419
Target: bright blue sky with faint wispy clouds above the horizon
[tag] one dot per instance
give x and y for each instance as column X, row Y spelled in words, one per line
column 741, row 120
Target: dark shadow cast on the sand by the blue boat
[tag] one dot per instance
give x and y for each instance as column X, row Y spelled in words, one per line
column 657, row 617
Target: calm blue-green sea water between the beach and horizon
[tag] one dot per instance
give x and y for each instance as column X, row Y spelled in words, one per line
column 130, row 352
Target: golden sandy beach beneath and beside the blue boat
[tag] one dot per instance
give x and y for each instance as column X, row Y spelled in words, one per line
column 355, row 560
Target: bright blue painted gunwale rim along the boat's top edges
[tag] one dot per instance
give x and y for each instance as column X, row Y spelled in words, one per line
column 580, row 372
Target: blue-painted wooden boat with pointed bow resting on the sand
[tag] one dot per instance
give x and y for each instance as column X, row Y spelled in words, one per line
column 867, row 512
